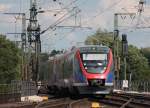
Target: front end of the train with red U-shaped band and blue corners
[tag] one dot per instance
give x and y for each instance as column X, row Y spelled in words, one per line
column 95, row 72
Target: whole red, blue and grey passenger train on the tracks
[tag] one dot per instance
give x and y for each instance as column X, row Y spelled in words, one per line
column 85, row 70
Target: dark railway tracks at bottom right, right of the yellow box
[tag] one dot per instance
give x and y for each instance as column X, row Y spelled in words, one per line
column 127, row 101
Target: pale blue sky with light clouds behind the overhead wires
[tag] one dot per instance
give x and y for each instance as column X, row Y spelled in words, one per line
column 91, row 15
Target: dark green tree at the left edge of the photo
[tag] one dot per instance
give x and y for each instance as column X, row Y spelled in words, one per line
column 9, row 61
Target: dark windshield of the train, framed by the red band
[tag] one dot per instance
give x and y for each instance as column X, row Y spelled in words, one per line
column 95, row 63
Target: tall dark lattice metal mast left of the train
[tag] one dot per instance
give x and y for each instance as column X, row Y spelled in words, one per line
column 34, row 42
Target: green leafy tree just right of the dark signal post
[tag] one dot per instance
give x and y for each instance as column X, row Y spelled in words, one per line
column 137, row 64
